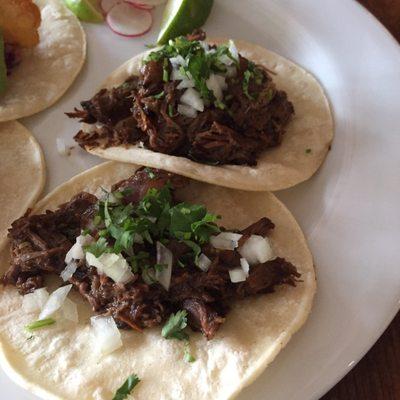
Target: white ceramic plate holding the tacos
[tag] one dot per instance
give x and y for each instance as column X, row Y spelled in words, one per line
column 349, row 211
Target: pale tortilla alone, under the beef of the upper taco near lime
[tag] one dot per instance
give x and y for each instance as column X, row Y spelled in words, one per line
column 304, row 146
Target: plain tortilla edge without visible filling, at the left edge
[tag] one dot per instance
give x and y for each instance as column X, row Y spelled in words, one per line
column 22, row 173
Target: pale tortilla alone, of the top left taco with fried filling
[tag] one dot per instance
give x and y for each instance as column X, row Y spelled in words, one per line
column 49, row 69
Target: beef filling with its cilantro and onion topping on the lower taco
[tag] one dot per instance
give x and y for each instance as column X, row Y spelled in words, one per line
column 142, row 223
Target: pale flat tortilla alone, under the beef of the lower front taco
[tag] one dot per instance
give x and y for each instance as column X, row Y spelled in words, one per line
column 59, row 362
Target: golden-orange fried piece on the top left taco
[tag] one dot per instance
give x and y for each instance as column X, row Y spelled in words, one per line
column 19, row 21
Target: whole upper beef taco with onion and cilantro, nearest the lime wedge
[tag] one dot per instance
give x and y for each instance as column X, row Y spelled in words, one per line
column 223, row 112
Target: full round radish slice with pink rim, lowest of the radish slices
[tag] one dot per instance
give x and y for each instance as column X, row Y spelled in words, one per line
column 127, row 20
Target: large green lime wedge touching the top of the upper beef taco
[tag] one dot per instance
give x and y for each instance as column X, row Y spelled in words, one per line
column 182, row 17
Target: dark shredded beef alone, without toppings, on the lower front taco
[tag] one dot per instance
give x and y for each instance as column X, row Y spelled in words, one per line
column 39, row 244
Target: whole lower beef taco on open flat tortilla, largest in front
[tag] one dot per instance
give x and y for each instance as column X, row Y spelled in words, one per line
column 143, row 250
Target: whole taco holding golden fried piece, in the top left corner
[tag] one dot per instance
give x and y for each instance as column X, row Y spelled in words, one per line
column 42, row 50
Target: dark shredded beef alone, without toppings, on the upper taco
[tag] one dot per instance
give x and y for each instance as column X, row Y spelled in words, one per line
column 236, row 135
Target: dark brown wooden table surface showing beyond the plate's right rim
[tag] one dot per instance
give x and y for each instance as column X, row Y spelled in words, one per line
column 377, row 376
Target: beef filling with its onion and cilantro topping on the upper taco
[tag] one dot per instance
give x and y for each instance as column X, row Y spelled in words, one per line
column 206, row 103
